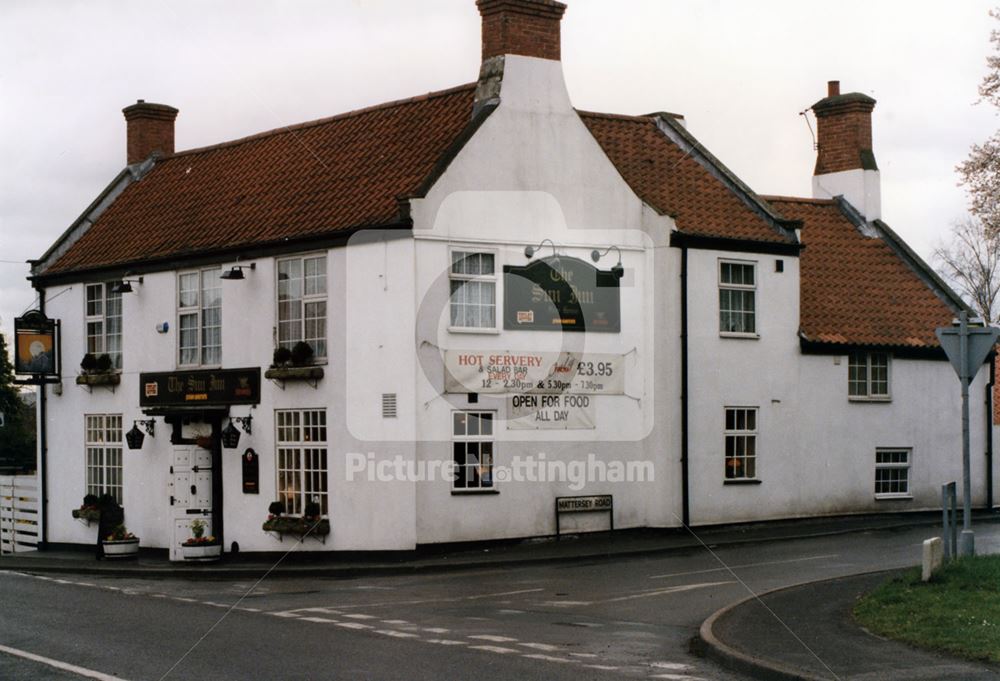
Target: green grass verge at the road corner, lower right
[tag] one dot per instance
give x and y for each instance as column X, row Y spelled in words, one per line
column 957, row 612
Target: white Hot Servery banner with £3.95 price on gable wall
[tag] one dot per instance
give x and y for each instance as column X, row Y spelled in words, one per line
column 513, row 372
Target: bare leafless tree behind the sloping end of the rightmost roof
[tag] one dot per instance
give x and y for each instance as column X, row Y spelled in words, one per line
column 971, row 261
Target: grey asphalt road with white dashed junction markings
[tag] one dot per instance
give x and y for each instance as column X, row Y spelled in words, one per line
column 608, row 619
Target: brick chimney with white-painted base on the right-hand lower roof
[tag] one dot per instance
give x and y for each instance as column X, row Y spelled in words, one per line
column 845, row 162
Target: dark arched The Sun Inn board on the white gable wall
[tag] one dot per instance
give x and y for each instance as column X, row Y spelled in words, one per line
column 561, row 293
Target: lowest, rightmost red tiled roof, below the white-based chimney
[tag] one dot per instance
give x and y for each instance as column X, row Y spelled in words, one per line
column 855, row 289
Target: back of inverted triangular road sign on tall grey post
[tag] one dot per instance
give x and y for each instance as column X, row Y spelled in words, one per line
column 967, row 348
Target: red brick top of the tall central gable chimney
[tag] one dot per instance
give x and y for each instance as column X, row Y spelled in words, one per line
column 525, row 27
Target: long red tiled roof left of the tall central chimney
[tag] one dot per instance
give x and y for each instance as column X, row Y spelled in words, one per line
column 316, row 178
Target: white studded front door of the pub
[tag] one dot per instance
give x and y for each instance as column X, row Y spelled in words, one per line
column 190, row 490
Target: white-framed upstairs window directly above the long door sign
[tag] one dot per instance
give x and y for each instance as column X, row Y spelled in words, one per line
column 199, row 318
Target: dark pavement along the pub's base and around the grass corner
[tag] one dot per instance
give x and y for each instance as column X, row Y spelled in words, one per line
column 799, row 632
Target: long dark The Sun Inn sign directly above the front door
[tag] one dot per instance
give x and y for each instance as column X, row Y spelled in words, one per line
column 203, row 388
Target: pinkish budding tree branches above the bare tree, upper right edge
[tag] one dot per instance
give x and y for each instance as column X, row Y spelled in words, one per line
column 980, row 172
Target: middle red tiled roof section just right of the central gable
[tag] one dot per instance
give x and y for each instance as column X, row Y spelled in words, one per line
column 674, row 182
